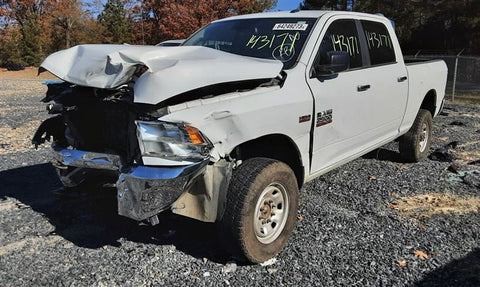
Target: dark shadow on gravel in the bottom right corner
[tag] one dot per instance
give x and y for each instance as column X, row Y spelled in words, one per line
column 463, row 272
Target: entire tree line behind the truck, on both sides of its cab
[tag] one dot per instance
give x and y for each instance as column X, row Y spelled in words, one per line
column 32, row 29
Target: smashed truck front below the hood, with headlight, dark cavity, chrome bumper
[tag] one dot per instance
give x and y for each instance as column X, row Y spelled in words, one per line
column 103, row 129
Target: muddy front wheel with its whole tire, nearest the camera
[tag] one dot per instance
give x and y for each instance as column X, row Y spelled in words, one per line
column 261, row 209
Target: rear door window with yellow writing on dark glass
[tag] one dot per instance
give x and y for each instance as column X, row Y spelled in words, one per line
column 379, row 43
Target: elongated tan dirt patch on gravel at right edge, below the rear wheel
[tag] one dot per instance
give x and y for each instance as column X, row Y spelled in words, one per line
column 426, row 205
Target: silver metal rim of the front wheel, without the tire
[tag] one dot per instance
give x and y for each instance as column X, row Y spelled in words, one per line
column 271, row 213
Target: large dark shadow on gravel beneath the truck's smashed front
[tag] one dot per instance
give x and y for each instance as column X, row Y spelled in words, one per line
column 88, row 216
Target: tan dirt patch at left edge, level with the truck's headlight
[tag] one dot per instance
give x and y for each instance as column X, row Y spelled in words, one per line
column 17, row 139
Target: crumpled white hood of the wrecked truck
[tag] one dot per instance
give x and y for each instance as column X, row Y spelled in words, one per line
column 171, row 70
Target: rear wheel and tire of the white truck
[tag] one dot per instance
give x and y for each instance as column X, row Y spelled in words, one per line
column 415, row 144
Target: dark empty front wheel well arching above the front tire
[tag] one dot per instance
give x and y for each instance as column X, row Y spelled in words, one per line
column 275, row 146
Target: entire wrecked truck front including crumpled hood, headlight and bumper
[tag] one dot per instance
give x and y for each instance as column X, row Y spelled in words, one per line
column 107, row 117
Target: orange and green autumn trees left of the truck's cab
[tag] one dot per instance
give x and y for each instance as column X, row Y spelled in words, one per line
column 32, row 29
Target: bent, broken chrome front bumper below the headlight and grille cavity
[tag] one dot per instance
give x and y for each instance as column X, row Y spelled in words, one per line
column 142, row 191
